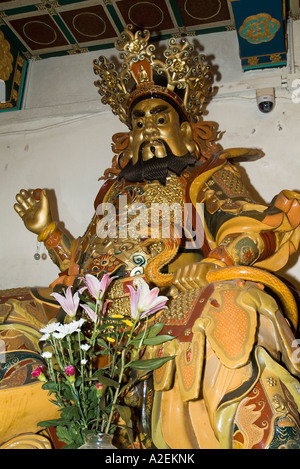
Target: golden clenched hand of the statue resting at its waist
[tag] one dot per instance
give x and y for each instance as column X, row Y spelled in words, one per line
column 192, row 275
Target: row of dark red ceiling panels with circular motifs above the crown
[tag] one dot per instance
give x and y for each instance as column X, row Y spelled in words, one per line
column 45, row 28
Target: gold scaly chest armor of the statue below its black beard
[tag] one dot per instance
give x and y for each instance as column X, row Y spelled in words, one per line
column 130, row 213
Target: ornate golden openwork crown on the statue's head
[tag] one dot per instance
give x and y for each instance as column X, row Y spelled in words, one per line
column 187, row 79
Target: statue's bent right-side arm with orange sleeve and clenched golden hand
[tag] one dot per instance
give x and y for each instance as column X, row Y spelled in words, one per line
column 256, row 235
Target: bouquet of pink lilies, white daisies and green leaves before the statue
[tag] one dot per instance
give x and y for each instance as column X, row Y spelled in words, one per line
column 93, row 362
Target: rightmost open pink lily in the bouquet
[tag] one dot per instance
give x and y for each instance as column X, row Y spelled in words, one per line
column 144, row 301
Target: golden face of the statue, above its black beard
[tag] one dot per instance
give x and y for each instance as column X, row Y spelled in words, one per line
column 155, row 121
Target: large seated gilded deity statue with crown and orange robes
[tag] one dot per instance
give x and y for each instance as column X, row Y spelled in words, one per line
column 234, row 382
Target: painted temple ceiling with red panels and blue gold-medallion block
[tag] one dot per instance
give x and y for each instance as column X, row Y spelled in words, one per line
column 39, row 29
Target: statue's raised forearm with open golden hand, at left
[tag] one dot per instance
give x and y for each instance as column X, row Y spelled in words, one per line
column 34, row 209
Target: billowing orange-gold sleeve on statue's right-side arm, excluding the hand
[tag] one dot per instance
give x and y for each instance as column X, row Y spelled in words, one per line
column 262, row 238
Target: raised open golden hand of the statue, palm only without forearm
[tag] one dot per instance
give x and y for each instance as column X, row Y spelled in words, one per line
column 33, row 207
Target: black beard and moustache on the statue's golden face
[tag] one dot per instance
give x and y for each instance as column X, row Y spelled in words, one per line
column 156, row 168
